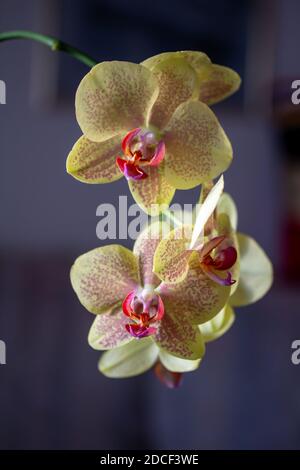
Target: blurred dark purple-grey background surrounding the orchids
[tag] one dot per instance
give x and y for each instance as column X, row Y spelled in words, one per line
column 246, row 393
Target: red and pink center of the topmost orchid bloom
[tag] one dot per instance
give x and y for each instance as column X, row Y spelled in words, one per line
column 141, row 148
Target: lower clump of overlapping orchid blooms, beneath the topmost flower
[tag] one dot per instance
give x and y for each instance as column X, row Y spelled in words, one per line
column 147, row 321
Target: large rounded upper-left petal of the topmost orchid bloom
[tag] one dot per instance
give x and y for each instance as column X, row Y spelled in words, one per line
column 114, row 97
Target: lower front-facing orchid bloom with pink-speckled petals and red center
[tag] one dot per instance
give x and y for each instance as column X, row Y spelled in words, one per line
column 135, row 309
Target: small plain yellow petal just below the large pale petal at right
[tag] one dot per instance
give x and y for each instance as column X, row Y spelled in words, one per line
column 219, row 325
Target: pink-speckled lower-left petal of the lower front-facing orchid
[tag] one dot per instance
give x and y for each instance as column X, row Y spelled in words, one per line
column 108, row 330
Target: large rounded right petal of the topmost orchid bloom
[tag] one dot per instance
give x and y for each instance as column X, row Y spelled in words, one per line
column 197, row 148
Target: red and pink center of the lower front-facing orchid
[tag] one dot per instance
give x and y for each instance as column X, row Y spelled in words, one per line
column 144, row 311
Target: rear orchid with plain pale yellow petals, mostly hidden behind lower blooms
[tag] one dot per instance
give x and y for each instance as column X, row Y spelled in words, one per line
column 254, row 278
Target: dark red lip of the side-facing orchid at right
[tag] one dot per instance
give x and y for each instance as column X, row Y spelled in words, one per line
column 223, row 261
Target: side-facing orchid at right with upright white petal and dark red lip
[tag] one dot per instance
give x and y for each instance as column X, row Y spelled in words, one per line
column 225, row 256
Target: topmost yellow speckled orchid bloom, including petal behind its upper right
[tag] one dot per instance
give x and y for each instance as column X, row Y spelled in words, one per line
column 150, row 122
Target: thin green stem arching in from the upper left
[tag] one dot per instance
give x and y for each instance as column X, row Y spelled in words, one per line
column 54, row 44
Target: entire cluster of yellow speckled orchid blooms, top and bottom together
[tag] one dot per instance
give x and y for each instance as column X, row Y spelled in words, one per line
column 158, row 305
